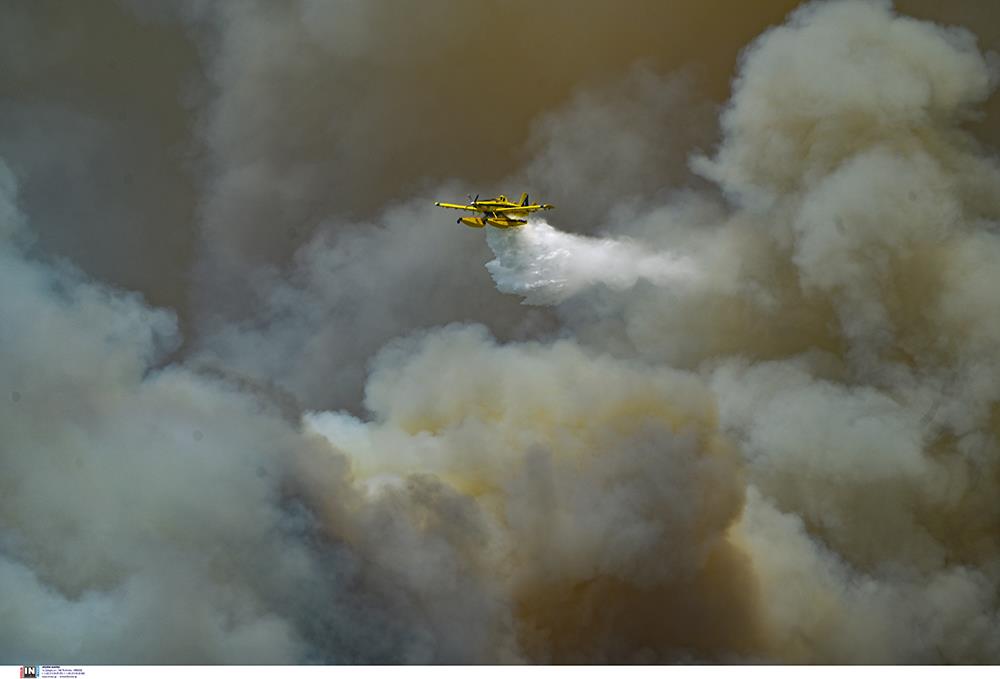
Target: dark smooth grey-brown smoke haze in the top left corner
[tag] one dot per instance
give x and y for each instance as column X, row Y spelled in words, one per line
column 96, row 109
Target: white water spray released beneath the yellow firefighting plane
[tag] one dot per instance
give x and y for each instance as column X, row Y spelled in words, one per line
column 547, row 266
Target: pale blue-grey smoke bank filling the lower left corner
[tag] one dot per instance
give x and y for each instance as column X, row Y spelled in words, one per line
column 155, row 514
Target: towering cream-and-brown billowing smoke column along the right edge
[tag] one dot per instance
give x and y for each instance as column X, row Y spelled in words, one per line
column 843, row 328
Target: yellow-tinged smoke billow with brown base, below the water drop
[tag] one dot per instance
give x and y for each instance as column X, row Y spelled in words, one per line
column 604, row 486
